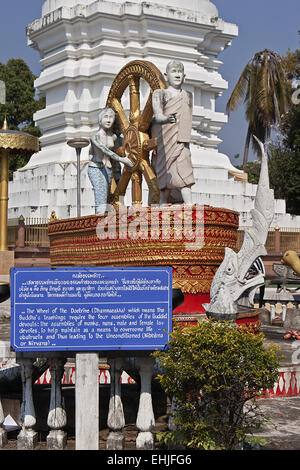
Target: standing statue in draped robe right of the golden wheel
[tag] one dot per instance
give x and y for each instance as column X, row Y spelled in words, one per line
column 172, row 127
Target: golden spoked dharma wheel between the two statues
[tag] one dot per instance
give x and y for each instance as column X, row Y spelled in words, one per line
column 135, row 128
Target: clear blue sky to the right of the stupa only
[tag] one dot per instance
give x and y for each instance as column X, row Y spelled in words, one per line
column 271, row 24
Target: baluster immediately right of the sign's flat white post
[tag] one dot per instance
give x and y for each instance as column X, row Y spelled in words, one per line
column 115, row 419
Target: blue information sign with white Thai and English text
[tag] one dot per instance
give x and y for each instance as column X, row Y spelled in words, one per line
column 87, row 309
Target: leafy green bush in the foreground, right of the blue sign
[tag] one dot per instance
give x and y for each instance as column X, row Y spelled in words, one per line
column 215, row 372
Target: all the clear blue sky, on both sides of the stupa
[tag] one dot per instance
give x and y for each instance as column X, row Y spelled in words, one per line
column 262, row 24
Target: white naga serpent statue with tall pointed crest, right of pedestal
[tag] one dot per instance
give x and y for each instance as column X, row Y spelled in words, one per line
column 240, row 274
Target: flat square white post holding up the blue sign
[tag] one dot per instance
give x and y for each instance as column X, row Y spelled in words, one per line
column 87, row 401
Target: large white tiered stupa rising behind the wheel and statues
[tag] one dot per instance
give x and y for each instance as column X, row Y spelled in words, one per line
column 83, row 44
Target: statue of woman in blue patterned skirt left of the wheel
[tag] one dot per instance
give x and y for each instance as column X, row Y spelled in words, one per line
column 100, row 166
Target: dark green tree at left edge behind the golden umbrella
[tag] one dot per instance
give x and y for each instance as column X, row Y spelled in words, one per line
column 21, row 103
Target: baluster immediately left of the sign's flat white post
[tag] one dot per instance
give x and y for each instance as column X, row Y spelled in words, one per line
column 57, row 418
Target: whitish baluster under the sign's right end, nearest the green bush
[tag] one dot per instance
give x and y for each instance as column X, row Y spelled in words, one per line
column 145, row 418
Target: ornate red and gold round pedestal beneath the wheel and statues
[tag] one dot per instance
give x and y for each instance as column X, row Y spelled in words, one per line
column 75, row 242
